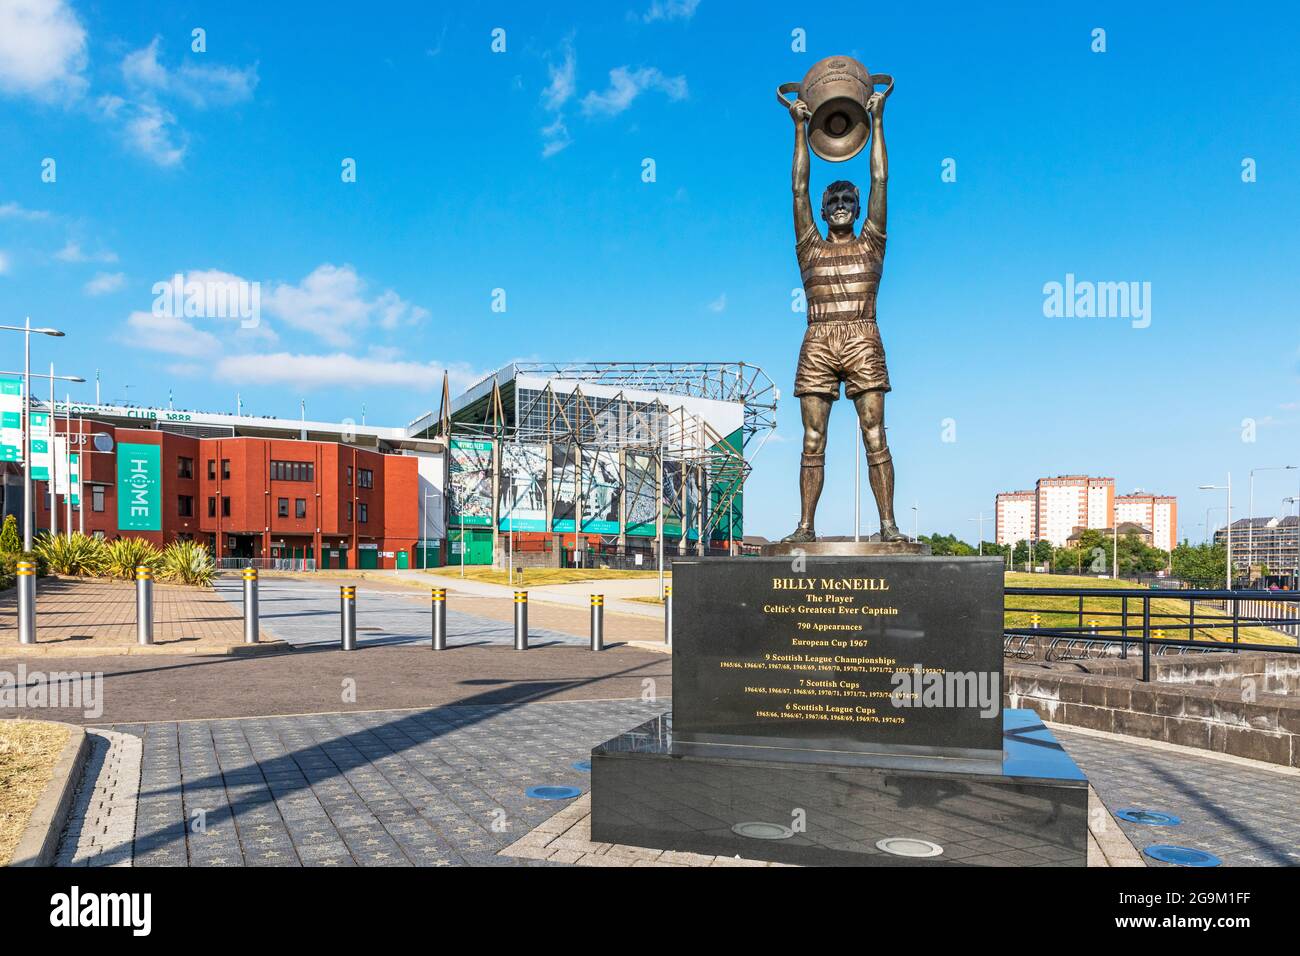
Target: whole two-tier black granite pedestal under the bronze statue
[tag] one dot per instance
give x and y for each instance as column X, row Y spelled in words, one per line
column 834, row 711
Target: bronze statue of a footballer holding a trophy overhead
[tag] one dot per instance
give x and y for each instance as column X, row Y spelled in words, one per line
column 842, row 276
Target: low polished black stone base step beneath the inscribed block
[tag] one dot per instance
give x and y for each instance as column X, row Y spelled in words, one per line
column 1033, row 811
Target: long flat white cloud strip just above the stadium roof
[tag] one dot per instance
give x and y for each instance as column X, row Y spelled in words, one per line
column 301, row 371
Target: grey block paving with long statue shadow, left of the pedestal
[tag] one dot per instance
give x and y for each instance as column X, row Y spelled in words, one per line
column 388, row 789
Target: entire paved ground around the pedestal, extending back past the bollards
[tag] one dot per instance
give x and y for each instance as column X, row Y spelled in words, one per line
column 396, row 755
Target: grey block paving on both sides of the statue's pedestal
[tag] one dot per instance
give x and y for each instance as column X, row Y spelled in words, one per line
column 448, row 786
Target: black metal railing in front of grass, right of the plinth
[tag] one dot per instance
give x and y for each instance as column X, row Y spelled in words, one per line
column 1124, row 618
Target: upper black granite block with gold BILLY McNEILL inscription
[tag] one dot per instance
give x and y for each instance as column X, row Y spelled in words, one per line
column 840, row 656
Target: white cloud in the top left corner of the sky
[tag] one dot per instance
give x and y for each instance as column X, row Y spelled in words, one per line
column 42, row 50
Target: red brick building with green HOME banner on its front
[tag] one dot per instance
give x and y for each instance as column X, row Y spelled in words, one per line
column 253, row 498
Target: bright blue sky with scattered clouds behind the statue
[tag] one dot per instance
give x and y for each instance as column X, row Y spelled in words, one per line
column 523, row 171
